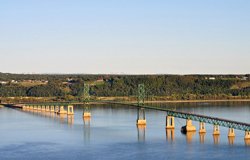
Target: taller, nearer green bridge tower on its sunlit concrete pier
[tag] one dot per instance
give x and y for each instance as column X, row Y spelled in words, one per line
column 141, row 119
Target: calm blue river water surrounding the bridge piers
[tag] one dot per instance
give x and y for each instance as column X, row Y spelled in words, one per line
column 111, row 133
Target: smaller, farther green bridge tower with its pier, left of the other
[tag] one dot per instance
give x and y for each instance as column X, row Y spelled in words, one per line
column 86, row 96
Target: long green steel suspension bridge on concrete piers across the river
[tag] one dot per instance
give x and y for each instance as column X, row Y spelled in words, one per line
column 59, row 108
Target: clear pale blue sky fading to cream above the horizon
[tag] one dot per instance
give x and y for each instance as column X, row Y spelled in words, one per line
column 125, row 36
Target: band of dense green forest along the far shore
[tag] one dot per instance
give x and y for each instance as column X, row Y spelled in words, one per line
column 164, row 87
